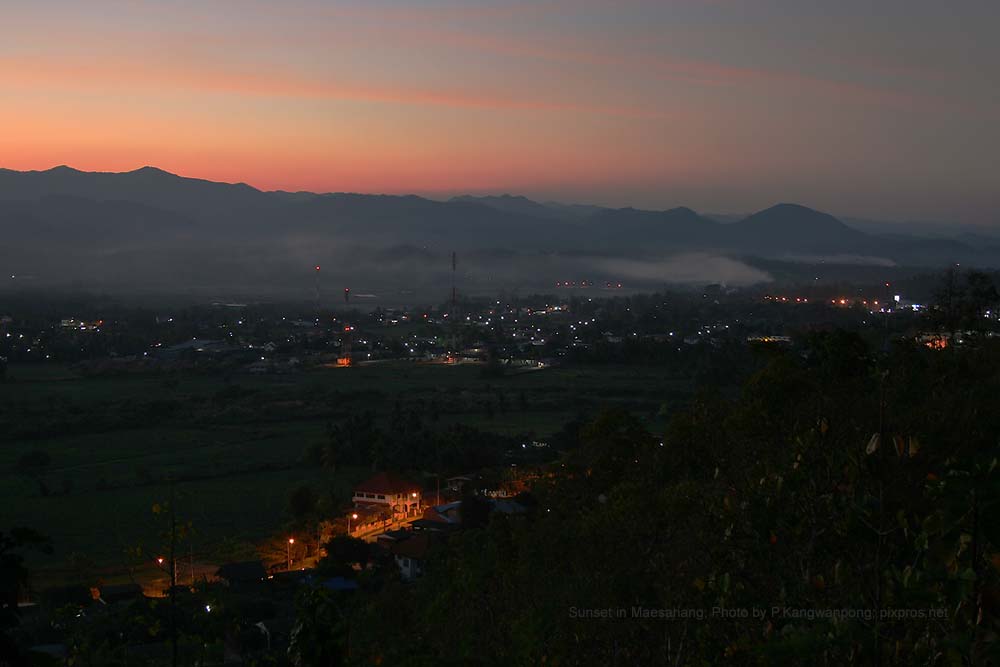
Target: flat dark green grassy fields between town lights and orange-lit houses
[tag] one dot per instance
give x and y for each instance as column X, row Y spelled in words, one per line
column 236, row 443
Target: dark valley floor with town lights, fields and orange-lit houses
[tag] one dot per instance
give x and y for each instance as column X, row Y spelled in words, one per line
column 347, row 451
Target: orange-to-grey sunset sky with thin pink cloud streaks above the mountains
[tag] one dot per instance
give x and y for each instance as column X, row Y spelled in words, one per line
column 883, row 109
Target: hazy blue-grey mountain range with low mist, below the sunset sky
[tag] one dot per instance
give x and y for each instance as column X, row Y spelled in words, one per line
column 149, row 228
